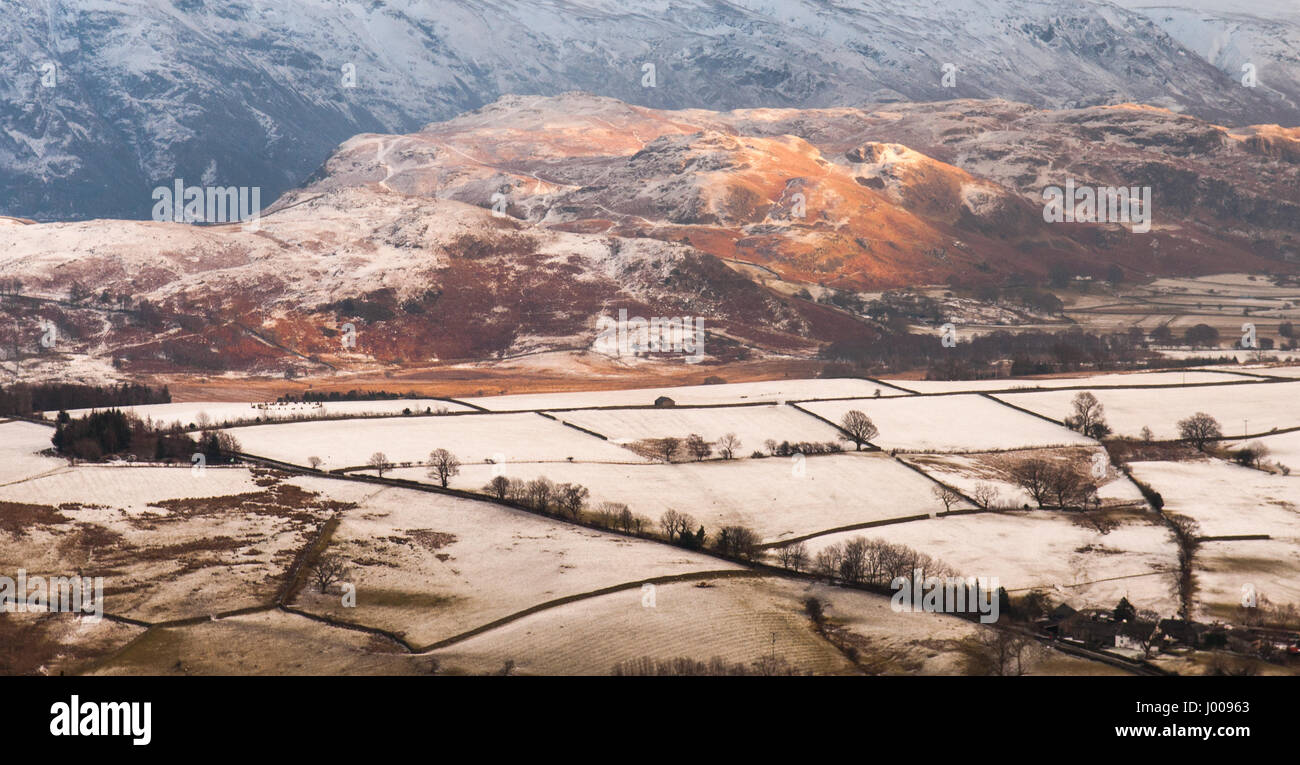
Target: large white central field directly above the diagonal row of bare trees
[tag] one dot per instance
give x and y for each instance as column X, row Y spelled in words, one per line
column 779, row 498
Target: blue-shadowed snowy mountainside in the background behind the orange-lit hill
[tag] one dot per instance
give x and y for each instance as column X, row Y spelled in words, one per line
column 109, row 100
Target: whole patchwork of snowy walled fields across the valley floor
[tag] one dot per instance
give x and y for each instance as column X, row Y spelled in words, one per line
column 215, row 569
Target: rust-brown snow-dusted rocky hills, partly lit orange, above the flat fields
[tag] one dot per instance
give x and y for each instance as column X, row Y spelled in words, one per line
column 513, row 230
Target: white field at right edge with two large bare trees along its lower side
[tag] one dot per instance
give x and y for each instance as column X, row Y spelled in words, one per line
column 1259, row 407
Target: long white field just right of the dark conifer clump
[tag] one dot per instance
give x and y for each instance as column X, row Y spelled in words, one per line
column 527, row 438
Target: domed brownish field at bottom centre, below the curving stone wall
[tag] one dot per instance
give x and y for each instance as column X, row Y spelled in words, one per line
column 738, row 621
